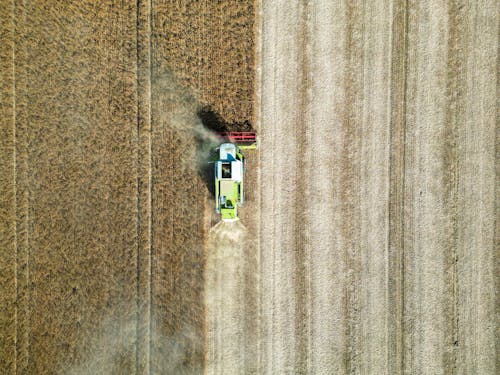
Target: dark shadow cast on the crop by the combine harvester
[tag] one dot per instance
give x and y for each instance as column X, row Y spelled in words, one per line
column 208, row 140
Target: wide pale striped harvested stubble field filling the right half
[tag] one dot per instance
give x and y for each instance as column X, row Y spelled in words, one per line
column 378, row 222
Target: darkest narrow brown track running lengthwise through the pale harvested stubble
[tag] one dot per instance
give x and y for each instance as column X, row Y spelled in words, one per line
column 396, row 209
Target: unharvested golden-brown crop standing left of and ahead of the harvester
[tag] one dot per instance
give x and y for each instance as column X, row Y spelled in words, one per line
column 102, row 199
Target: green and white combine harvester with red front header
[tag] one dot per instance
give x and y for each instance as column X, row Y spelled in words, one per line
column 229, row 171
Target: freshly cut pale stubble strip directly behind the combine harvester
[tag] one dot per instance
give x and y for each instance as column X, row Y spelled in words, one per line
column 225, row 298
